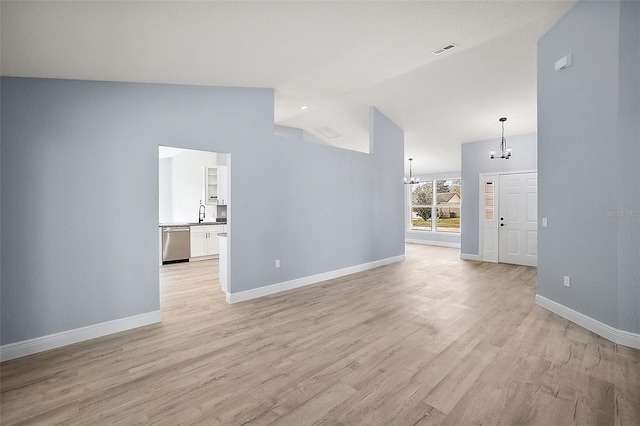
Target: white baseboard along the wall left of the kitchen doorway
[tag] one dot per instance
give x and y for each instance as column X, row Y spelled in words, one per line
column 64, row 338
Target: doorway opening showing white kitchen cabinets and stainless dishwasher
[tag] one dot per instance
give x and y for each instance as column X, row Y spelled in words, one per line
column 194, row 209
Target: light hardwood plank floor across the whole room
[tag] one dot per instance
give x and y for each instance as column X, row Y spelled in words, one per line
column 433, row 340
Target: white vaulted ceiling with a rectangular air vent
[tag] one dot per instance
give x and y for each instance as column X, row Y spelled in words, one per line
column 338, row 58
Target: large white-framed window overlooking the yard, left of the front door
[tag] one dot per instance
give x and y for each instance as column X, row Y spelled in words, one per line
column 440, row 213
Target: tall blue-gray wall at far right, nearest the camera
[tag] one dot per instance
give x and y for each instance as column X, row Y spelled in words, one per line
column 588, row 162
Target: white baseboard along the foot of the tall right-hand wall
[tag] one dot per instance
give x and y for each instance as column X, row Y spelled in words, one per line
column 620, row 337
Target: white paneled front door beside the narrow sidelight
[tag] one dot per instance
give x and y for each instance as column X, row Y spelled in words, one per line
column 518, row 219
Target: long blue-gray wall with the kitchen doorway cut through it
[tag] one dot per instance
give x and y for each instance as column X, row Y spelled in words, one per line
column 79, row 180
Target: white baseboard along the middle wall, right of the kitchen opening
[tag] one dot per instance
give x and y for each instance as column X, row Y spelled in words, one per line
column 305, row 281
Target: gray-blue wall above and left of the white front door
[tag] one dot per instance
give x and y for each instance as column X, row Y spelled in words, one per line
column 476, row 160
